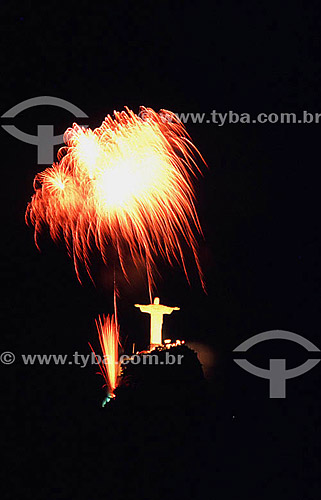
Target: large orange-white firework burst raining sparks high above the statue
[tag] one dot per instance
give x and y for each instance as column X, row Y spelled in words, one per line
column 127, row 183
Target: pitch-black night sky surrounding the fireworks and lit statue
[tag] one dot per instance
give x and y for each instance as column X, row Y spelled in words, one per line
column 259, row 207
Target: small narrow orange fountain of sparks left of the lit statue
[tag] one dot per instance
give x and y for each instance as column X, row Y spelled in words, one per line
column 108, row 332
